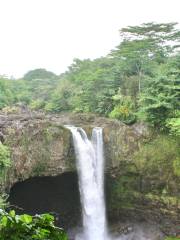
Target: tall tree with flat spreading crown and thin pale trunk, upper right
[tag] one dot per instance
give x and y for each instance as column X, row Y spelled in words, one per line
column 145, row 46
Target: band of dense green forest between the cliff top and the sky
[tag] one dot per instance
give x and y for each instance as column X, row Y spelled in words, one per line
column 139, row 79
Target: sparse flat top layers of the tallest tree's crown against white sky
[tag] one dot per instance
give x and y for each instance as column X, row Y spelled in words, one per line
column 163, row 38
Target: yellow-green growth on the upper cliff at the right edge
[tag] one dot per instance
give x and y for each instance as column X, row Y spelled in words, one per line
column 159, row 159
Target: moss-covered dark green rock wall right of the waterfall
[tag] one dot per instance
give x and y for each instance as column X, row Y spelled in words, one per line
column 147, row 186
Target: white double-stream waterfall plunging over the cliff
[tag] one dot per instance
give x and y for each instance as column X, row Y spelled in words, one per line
column 90, row 167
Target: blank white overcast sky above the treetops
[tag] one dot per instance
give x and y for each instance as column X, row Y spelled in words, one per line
column 50, row 33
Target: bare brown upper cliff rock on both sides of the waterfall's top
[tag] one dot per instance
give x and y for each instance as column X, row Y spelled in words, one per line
column 41, row 145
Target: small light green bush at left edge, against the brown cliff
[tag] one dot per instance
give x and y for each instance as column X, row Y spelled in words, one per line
column 5, row 160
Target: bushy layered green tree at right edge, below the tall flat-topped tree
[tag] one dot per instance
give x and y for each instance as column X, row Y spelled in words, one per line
column 158, row 101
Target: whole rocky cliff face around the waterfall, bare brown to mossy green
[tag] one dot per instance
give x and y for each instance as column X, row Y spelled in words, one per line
column 41, row 146
